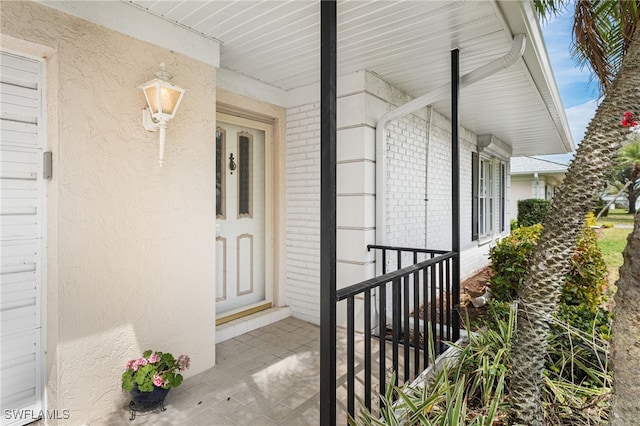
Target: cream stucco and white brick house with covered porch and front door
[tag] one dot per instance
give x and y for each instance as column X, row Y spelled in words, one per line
column 114, row 254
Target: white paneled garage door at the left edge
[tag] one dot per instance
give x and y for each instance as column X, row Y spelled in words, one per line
column 21, row 238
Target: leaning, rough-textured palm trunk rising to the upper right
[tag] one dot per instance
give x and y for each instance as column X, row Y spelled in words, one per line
column 541, row 291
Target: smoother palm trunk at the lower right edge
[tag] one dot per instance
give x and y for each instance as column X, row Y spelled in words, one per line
column 625, row 340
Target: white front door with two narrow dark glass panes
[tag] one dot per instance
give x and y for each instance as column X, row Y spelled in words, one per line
column 242, row 231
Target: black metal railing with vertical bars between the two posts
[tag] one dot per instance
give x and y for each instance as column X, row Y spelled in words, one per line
column 400, row 328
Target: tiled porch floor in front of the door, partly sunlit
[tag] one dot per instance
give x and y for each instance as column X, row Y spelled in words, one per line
column 268, row 376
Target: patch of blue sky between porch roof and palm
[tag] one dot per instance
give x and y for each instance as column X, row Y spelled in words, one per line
column 579, row 94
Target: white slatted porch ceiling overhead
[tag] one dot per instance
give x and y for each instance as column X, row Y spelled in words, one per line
column 406, row 43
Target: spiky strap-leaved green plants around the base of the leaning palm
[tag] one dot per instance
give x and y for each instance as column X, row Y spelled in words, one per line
column 473, row 389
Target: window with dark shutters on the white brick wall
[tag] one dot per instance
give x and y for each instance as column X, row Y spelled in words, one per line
column 488, row 187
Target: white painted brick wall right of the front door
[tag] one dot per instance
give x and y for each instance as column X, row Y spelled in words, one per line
column 413, row 174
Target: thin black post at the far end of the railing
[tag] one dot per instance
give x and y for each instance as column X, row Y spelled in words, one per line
column 455, row 190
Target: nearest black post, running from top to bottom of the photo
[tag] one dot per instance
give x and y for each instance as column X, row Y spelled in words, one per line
column 328, row 138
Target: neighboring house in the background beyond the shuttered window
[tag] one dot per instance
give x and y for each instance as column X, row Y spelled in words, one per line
column 533, row 177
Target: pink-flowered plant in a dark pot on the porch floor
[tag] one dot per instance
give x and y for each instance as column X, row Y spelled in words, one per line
column 148, row 379
